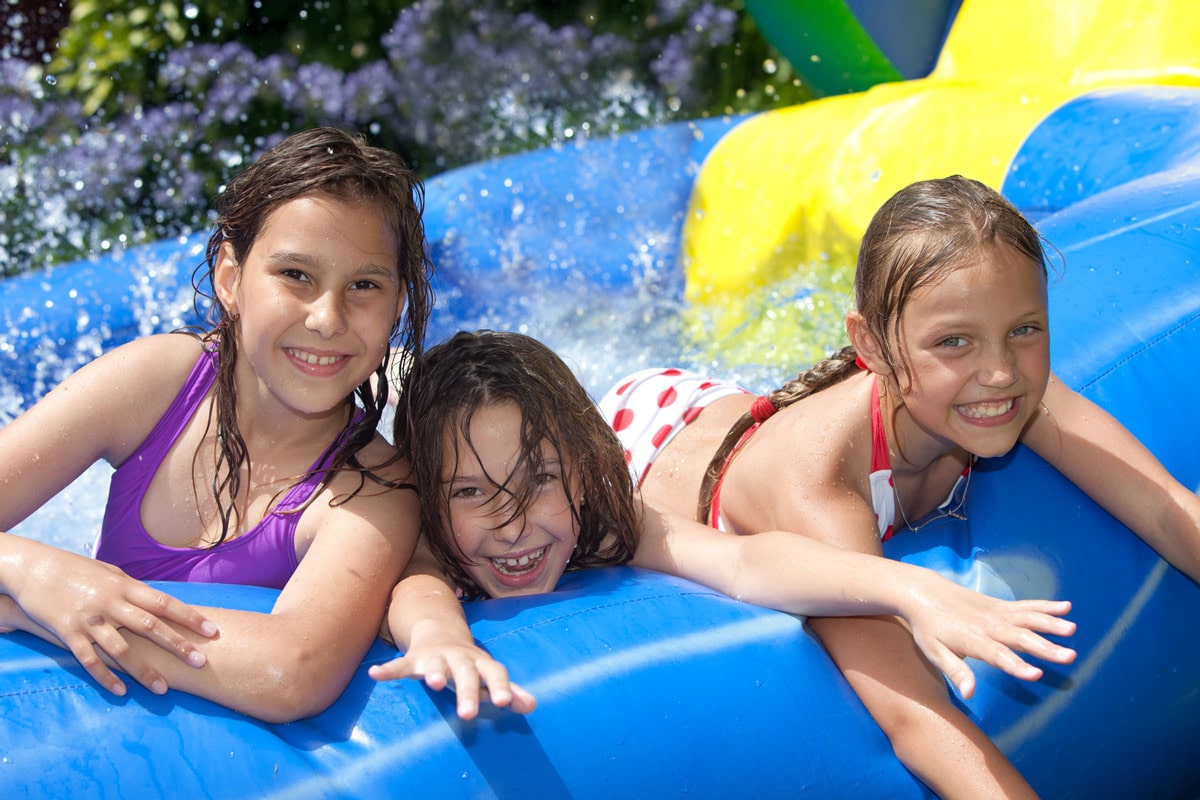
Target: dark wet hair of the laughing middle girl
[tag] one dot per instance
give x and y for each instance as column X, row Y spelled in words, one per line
column 475, row 371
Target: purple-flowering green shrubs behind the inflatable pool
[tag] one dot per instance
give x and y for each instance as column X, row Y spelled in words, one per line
column 122, row 127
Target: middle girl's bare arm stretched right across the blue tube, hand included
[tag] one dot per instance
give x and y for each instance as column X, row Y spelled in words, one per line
column 805, row 576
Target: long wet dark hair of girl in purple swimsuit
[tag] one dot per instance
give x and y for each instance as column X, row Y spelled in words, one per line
column 343, row 167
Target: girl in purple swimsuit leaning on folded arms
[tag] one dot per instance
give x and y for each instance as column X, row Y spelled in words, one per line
column 248, row 454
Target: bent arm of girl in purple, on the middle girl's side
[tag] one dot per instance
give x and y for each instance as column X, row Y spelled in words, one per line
column 296, row 661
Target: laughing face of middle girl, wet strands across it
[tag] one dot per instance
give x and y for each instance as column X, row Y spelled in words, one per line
column 508, row 551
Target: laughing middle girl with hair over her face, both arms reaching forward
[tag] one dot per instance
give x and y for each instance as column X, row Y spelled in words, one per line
column 524, row 480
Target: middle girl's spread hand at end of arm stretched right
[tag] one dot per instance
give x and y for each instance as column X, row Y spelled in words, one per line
column 952, row 623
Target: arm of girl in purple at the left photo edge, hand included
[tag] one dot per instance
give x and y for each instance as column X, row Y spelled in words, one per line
column 77, row 601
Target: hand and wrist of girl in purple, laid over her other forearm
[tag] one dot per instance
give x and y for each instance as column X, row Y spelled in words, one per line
column 83, row 605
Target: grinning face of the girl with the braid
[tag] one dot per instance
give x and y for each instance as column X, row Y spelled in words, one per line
column 976, row 356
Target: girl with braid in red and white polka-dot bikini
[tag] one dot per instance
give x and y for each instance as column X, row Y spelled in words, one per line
column 950, row 362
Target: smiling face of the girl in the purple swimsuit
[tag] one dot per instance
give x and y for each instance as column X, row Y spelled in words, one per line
column 316, row 300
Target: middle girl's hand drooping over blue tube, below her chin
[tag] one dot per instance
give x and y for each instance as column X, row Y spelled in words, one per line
column 466, row 670
